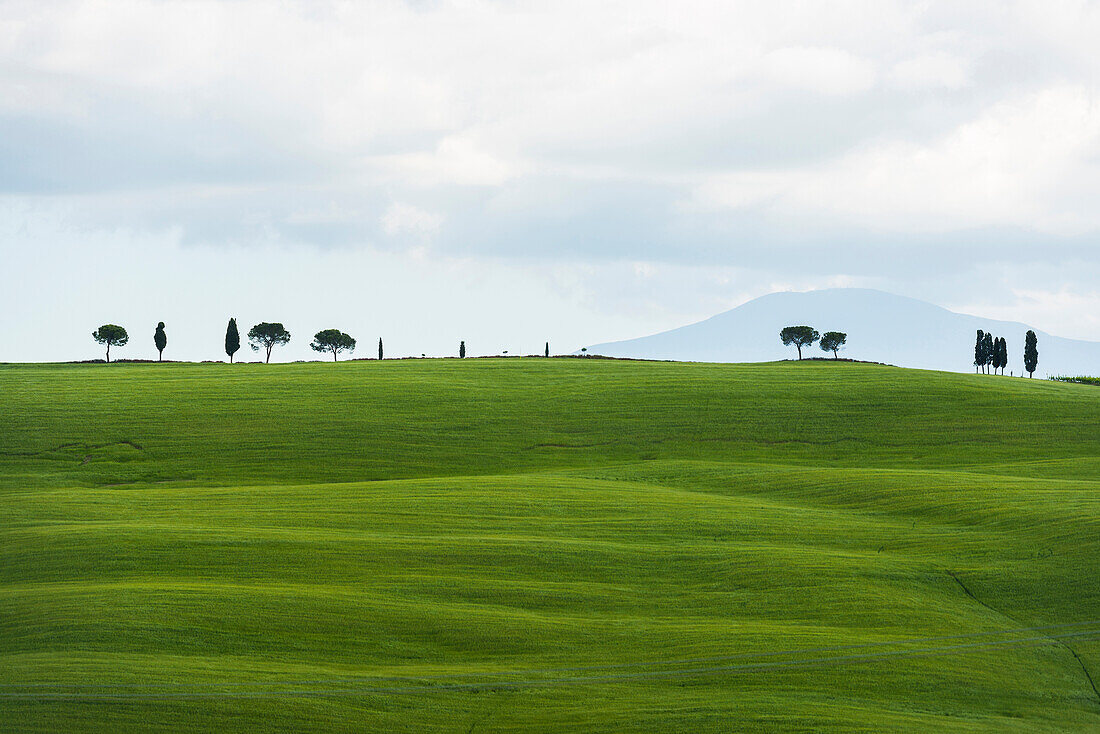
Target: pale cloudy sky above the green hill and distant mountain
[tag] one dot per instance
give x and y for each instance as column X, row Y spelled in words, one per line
column 515, row 173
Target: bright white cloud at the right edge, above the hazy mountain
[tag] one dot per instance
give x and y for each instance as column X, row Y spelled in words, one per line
column 1029, row 161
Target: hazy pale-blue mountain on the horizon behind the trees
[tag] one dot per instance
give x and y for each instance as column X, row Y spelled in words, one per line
column 882, row 327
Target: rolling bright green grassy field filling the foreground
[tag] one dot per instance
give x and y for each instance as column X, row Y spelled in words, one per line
column 531, row 545
